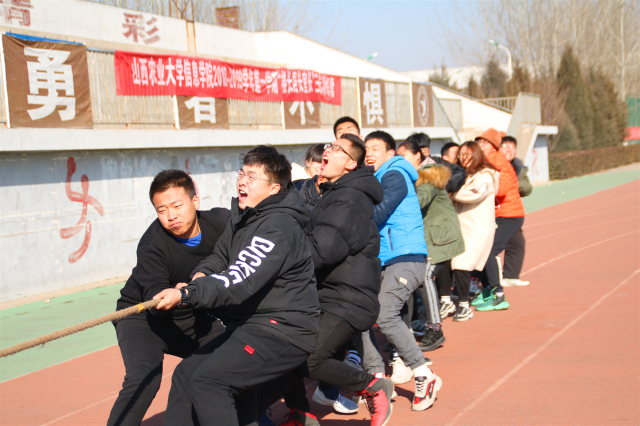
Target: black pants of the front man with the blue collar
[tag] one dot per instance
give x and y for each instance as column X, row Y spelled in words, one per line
column 143, row 341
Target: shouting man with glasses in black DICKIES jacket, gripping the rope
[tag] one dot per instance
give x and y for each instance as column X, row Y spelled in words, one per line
column 262, row 273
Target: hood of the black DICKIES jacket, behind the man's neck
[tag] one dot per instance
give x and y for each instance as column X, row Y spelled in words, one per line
column 288, row 201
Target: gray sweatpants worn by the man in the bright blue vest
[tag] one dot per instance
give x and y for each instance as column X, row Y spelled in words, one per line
column 398, row 282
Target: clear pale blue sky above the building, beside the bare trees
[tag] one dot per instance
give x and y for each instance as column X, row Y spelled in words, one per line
column 404, row 33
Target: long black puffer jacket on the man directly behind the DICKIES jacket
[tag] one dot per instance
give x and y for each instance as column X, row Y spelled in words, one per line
column 345, row 245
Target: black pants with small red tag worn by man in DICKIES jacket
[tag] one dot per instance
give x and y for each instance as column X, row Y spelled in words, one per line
column 219, row 388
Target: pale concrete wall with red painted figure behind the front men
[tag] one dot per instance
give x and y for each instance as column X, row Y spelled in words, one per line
column 36, row 207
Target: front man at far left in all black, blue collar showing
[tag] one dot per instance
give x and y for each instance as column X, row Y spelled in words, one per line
column 168, row 251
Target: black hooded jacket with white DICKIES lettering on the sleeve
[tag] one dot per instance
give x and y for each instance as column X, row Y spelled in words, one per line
column 262, row 273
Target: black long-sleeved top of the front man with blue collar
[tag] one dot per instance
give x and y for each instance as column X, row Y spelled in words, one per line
column 164, row 262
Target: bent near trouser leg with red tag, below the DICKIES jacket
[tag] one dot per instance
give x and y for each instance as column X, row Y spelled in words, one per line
column 249, row 357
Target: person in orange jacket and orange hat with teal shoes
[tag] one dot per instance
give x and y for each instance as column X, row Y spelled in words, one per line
column 509, row 219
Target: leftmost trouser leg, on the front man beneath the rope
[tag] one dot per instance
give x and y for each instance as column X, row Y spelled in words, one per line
column 143, row 353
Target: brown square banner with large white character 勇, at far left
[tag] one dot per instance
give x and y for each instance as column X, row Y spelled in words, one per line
column 47, row 84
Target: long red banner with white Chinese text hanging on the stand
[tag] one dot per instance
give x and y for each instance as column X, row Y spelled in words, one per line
column 140, row 74
